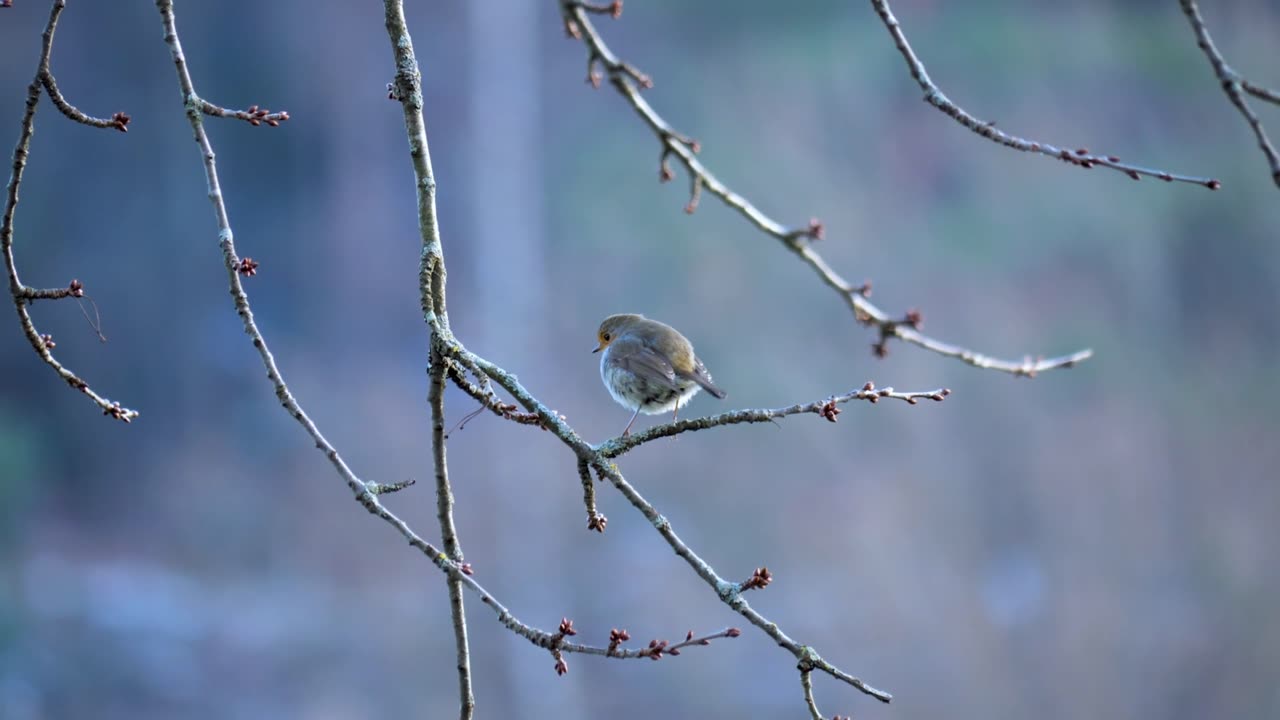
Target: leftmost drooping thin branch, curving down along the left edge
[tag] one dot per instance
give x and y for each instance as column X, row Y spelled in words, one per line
column 21, row 294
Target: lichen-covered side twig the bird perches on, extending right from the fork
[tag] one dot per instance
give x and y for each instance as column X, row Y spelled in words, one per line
column 828, row 409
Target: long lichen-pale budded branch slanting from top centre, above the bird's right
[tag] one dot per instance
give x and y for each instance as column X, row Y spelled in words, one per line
column 628, row 81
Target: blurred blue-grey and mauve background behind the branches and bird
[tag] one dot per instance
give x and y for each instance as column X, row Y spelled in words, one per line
column 1092, row 544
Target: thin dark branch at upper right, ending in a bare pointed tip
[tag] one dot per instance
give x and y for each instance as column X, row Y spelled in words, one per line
column 1081, row 158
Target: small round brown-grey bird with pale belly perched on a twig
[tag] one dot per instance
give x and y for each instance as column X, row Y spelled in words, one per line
column 650, row 367
